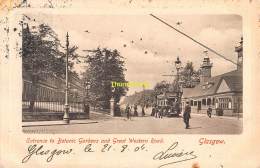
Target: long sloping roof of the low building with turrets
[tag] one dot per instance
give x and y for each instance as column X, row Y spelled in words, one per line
column 210, row 87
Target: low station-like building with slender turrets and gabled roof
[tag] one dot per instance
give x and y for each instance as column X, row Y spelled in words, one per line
column 224, row 91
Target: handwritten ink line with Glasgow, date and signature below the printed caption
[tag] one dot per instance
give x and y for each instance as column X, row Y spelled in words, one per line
column 169, row 156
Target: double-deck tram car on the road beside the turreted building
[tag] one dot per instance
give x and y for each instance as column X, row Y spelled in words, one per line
column 169, row 104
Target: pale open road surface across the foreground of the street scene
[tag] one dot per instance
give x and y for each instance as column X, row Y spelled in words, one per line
column 200, row 124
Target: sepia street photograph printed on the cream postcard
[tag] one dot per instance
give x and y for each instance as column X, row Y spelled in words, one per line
column 132, row 74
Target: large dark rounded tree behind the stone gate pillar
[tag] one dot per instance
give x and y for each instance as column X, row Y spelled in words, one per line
column 105, row 66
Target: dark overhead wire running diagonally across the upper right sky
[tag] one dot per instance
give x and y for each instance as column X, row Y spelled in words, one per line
column 203, row 45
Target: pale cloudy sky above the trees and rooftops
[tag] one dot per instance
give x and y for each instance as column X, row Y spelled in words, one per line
column 147, row 60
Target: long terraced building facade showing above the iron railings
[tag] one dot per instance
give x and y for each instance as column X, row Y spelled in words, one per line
column 52, row 89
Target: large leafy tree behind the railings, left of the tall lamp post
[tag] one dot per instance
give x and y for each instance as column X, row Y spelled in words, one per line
column 42, row 56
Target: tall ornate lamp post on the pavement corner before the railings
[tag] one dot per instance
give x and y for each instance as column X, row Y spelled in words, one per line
column 66, row 117
